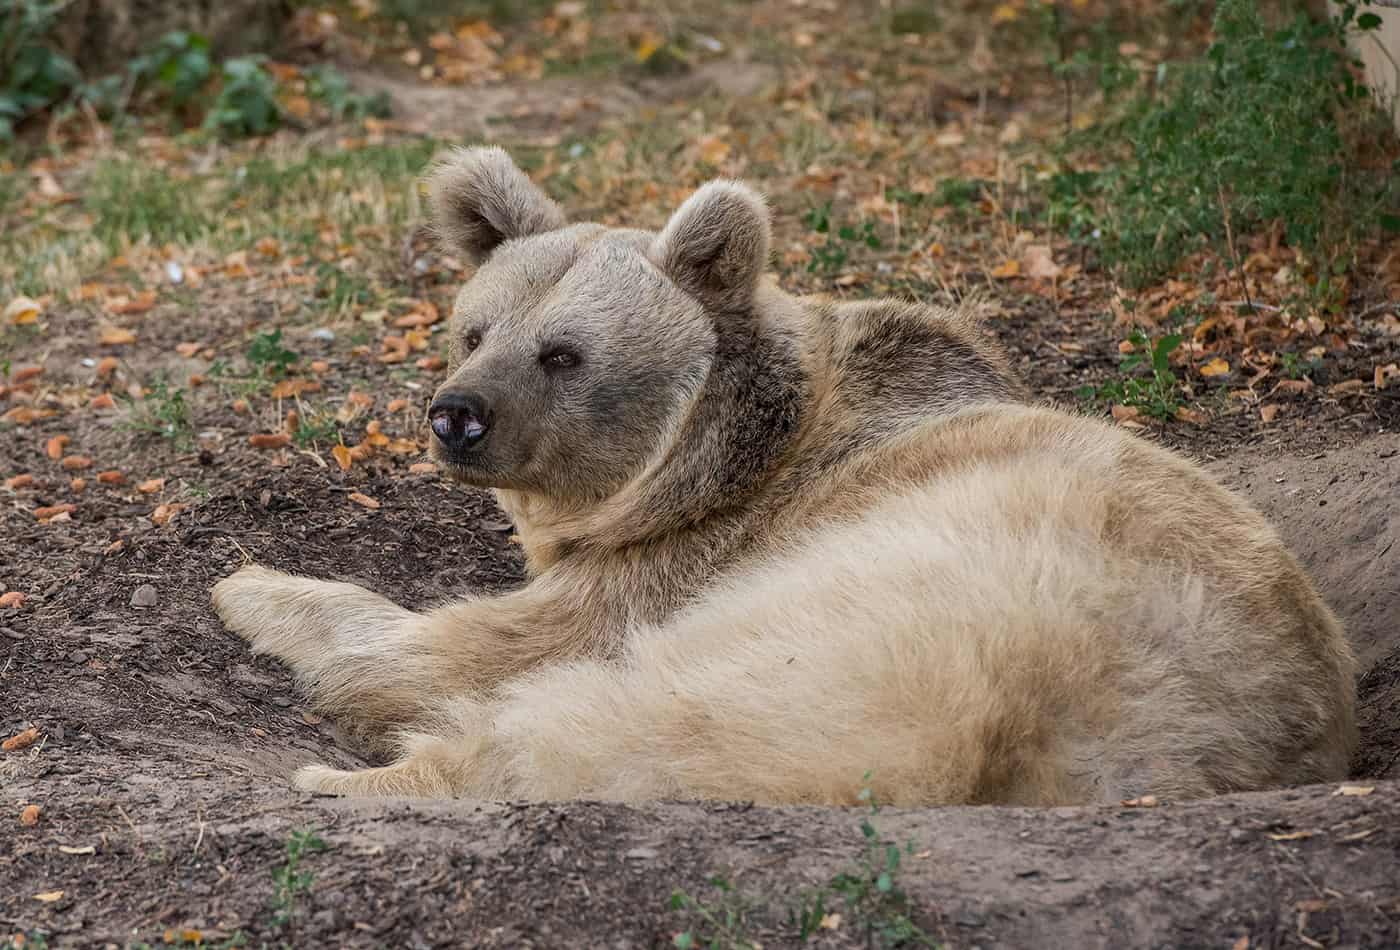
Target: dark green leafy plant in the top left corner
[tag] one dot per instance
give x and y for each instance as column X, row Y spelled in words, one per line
column 33, row 75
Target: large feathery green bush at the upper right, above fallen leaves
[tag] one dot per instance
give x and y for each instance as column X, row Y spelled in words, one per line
column 1262, row 129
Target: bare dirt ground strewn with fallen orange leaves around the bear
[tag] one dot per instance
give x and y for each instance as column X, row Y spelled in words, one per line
column 153, row 804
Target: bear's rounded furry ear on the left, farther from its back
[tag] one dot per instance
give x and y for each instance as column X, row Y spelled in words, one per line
column 479, row 199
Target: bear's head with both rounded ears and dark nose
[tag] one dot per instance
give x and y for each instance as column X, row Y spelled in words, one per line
column 579, row 350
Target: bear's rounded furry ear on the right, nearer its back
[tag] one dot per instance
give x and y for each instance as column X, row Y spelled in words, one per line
column 716, row 246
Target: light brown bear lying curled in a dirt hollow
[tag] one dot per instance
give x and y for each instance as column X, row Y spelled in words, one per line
column 782, row 548
